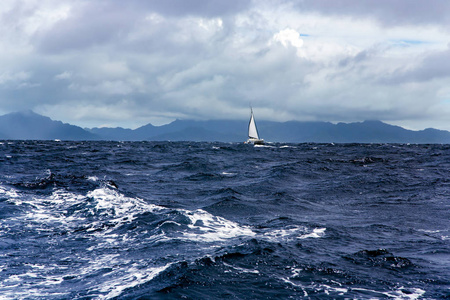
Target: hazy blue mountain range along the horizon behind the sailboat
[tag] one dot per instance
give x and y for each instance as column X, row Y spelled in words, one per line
column 28, row 125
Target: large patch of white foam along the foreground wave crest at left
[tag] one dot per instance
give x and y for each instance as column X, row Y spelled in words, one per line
column 118, row 209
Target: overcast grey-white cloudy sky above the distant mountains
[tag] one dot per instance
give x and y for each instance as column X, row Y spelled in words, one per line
column 129, row 63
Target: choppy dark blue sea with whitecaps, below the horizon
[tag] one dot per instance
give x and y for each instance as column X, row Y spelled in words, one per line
column 162, row 220
